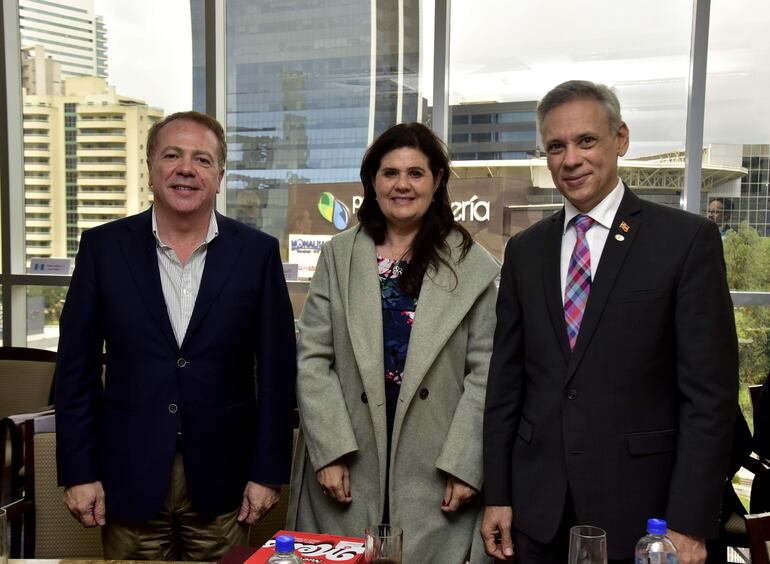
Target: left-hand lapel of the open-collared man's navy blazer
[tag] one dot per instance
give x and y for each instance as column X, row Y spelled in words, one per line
column 139, row 246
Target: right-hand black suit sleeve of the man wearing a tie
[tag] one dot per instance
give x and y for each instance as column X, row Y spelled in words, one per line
column 707, row 378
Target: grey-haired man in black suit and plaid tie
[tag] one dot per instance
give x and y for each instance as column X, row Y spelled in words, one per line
column 613, row 382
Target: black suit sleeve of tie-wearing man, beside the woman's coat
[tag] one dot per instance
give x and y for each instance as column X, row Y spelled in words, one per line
column 505, row 389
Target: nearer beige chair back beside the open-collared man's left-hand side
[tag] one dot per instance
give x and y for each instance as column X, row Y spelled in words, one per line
column 56, row 533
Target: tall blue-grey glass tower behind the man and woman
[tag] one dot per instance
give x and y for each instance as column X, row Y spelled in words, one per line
column 309, row 86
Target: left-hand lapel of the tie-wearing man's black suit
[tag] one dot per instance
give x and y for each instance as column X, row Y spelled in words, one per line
column 552, row 281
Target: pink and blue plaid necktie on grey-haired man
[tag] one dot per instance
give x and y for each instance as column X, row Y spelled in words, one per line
column 578, row 279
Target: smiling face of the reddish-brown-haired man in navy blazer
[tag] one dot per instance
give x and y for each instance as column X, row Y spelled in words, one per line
column 184, row 171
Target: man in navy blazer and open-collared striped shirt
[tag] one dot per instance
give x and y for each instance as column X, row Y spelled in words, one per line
column 189, row 436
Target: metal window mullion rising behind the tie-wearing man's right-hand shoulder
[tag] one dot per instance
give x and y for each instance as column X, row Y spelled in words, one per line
column 696, row 103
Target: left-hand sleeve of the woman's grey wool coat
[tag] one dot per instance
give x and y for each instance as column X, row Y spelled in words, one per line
column 326, row 423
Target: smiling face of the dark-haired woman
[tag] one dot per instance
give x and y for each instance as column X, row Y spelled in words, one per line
column 404, row 185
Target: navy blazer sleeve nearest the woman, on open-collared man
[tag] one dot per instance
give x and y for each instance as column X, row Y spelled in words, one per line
column 276, row 355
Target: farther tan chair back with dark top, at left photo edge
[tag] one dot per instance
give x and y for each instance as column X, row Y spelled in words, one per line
column 26, row 376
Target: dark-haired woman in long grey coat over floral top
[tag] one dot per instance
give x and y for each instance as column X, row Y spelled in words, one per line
column 394, row 346
